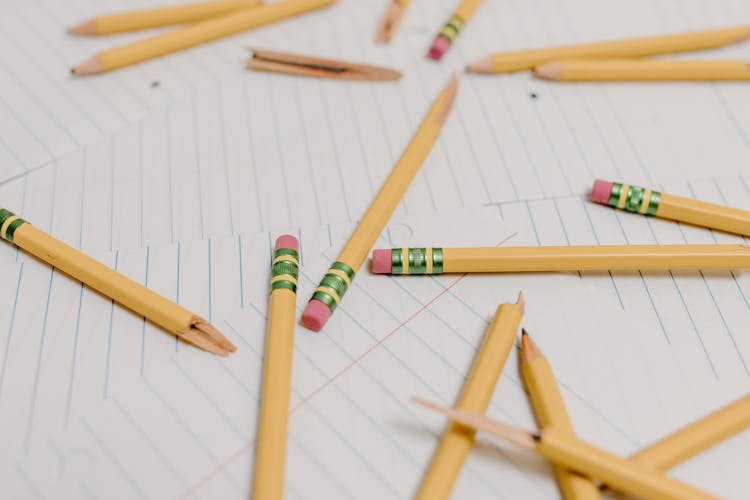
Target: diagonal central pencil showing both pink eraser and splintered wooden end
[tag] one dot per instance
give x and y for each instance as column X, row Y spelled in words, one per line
column 338, row 278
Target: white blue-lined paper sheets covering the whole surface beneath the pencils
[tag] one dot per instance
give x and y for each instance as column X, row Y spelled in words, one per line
column 180, row 172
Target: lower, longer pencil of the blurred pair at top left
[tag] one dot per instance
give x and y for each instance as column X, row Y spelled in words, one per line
column 195, row 34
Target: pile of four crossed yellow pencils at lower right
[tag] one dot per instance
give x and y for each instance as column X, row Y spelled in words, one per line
column 581, row 470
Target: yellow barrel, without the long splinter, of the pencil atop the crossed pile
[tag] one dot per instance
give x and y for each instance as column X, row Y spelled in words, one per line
column 619, row 473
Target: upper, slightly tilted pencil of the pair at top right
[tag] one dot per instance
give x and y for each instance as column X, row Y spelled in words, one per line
column 630, row 47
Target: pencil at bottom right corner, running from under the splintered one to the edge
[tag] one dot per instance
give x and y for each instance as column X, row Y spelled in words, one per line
column 696, row 437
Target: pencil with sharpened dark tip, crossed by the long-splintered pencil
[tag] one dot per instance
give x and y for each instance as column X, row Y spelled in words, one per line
column 549, row 409
